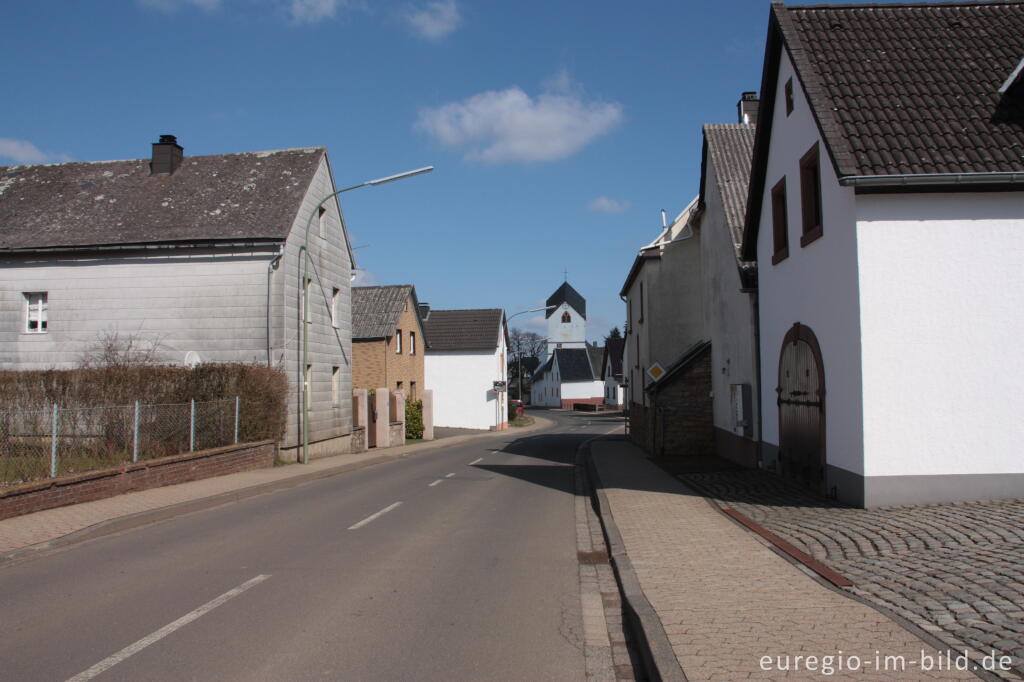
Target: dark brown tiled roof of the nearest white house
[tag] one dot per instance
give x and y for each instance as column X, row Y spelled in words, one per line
column 912, row 90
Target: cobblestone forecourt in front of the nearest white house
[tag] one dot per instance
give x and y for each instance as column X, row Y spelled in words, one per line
column 955, row 570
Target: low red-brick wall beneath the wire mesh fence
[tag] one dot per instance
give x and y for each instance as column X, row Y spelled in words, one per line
column 72, row 490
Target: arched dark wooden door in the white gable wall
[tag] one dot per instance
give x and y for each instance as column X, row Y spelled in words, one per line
column 802, row 409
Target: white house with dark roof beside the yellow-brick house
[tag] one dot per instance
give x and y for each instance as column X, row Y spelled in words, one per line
column 465, row 358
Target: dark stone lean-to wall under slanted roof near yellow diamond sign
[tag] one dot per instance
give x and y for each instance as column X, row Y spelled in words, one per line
column 678, row 422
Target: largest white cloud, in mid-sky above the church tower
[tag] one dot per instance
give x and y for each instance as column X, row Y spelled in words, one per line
column 500, row 126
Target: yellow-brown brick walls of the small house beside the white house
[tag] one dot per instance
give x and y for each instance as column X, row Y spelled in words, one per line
column 375, row 363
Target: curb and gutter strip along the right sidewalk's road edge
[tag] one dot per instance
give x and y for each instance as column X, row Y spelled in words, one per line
column 655, row 650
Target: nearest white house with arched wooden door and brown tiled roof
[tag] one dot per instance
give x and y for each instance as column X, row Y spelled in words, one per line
column 886, row 215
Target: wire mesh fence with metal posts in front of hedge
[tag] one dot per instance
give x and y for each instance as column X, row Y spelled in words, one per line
column 41, row 444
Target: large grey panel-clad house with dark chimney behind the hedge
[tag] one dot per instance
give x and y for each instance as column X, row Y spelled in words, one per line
column 200, row 255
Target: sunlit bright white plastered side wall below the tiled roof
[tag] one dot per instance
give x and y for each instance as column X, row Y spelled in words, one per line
column 942, row 324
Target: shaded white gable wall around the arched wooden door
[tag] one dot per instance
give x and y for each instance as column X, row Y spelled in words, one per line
column 816, row 286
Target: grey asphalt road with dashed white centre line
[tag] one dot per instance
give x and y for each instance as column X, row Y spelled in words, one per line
column 473, row 577
